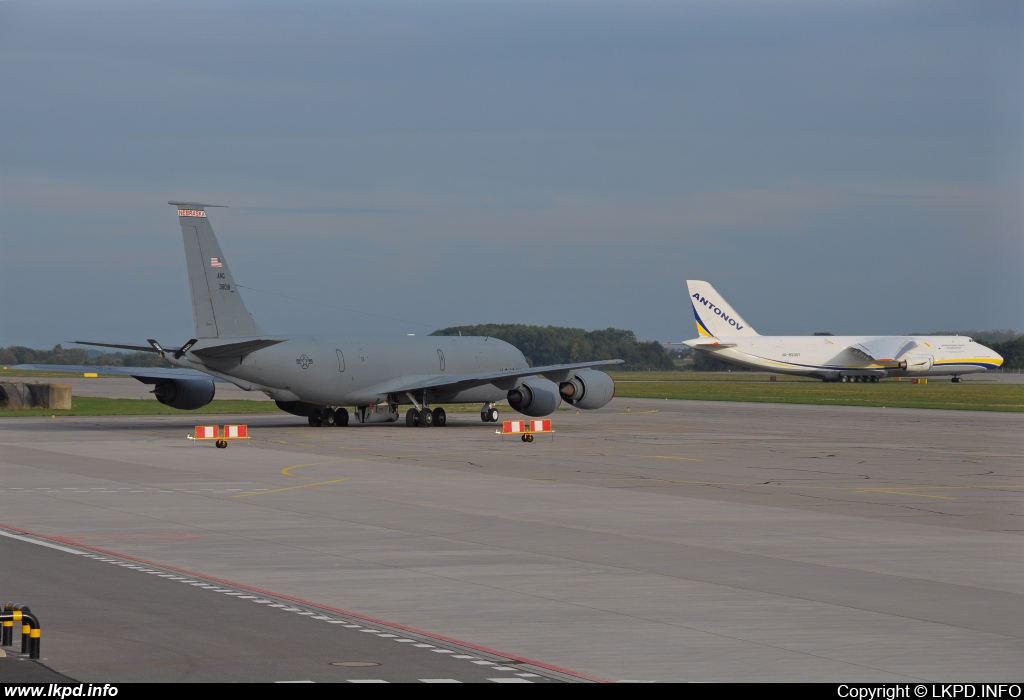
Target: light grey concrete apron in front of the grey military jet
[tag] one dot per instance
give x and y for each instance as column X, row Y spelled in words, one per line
column 650, row 541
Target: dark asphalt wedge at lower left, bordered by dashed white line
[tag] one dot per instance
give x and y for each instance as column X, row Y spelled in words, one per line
column 144, row 624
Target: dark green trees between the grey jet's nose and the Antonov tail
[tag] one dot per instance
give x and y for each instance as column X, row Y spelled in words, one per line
column 558, row 345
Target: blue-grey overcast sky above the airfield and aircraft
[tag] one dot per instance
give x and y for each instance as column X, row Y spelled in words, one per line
column 399, row 167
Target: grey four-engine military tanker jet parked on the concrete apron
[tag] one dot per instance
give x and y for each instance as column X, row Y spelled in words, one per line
column 317, row 378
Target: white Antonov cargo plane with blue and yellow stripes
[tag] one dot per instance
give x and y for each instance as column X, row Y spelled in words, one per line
column 726, row 335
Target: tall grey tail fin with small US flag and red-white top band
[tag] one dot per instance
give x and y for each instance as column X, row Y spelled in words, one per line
column 218, row 305
